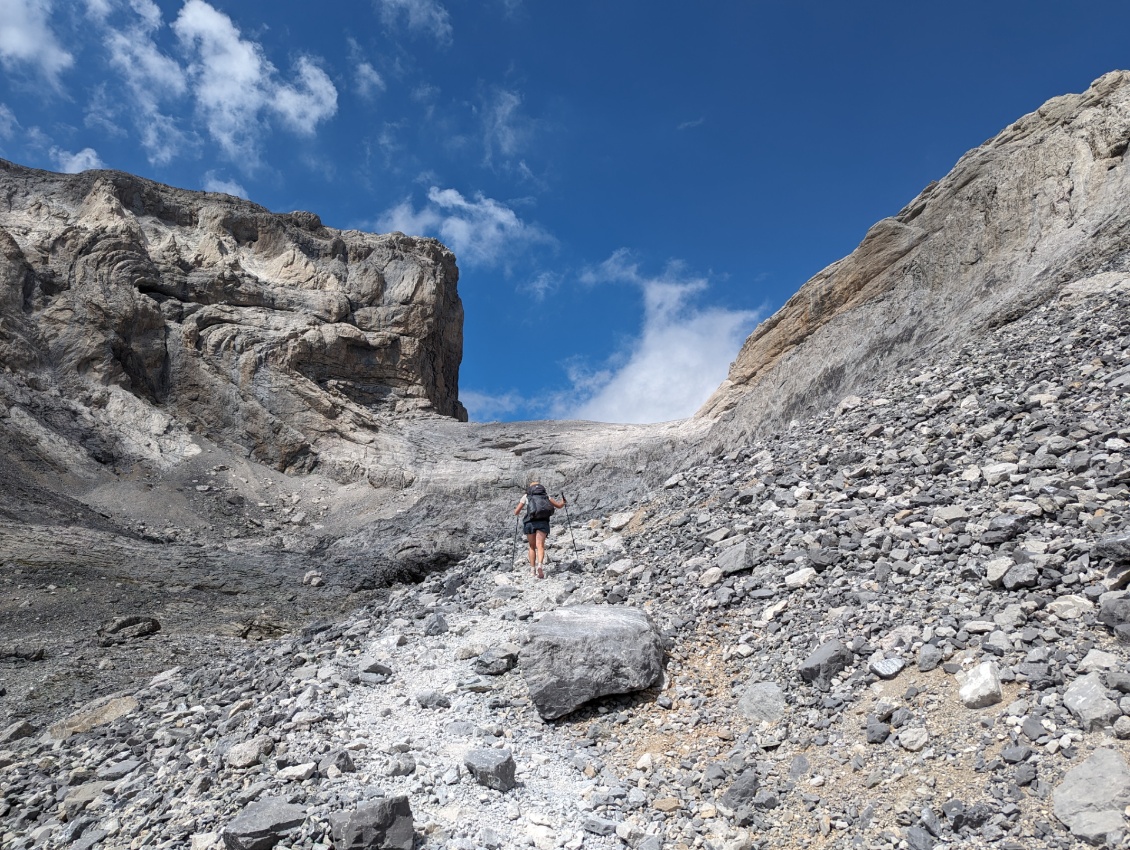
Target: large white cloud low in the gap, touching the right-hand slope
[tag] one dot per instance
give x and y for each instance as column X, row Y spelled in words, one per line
column 682, row 354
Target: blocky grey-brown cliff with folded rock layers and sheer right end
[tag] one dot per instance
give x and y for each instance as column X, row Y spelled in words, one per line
column 162, row 310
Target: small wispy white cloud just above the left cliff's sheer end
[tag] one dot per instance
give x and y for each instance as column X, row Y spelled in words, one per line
column 482, row 232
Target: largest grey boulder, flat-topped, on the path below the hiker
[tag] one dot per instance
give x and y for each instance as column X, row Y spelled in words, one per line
column 586, row 652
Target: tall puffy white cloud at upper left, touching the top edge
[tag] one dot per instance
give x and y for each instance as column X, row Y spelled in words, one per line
column 237, row 88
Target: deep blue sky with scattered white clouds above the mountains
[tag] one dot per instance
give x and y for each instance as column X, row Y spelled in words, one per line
column 629, row 187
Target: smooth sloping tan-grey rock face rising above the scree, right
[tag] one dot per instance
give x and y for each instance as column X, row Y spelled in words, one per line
column 1041, row 204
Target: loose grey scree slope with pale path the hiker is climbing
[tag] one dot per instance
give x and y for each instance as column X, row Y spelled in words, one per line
column 899, row 626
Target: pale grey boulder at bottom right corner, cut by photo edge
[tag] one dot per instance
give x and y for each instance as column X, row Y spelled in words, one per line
column 1091, row 799
